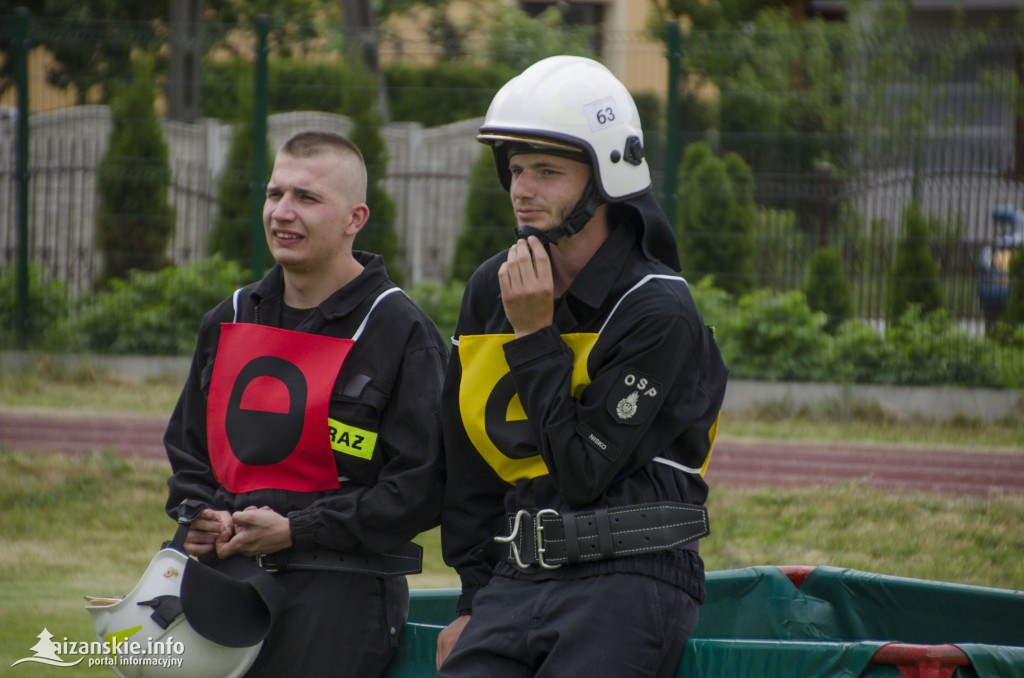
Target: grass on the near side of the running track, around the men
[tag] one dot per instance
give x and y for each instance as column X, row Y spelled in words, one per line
column 90, row 525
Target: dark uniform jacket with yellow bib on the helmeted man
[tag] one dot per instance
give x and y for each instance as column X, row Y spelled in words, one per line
column 615, row 405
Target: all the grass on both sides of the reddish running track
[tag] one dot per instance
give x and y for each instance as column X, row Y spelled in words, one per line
column 90, row 525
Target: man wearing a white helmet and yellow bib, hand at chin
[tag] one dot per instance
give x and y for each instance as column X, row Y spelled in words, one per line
column 582, row 404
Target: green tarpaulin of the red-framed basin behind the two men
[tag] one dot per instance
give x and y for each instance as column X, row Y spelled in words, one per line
column 756, row 623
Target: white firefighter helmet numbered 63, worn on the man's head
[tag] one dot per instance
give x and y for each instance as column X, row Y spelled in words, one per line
column 566, row 104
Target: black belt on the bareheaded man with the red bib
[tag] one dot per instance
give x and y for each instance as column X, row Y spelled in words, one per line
column 407, row 561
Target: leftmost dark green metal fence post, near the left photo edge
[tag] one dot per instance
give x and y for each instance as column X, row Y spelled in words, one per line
column 22, row 176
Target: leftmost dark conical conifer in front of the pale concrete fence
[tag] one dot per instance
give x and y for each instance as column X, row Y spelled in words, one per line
column 135, row 219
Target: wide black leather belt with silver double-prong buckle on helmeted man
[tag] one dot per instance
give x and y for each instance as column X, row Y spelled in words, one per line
column 550, row 539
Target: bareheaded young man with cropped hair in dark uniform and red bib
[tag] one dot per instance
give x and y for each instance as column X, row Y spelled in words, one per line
column 310, row 425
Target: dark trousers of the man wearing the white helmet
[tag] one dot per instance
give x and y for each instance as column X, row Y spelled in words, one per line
column 613, row 626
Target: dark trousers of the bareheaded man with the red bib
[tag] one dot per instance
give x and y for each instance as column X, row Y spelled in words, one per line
column 334, row 624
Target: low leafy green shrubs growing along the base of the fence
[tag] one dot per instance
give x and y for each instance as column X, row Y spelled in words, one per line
column 764, row 335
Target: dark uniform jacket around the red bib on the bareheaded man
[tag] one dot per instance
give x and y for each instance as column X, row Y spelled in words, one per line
column 389, row 388
